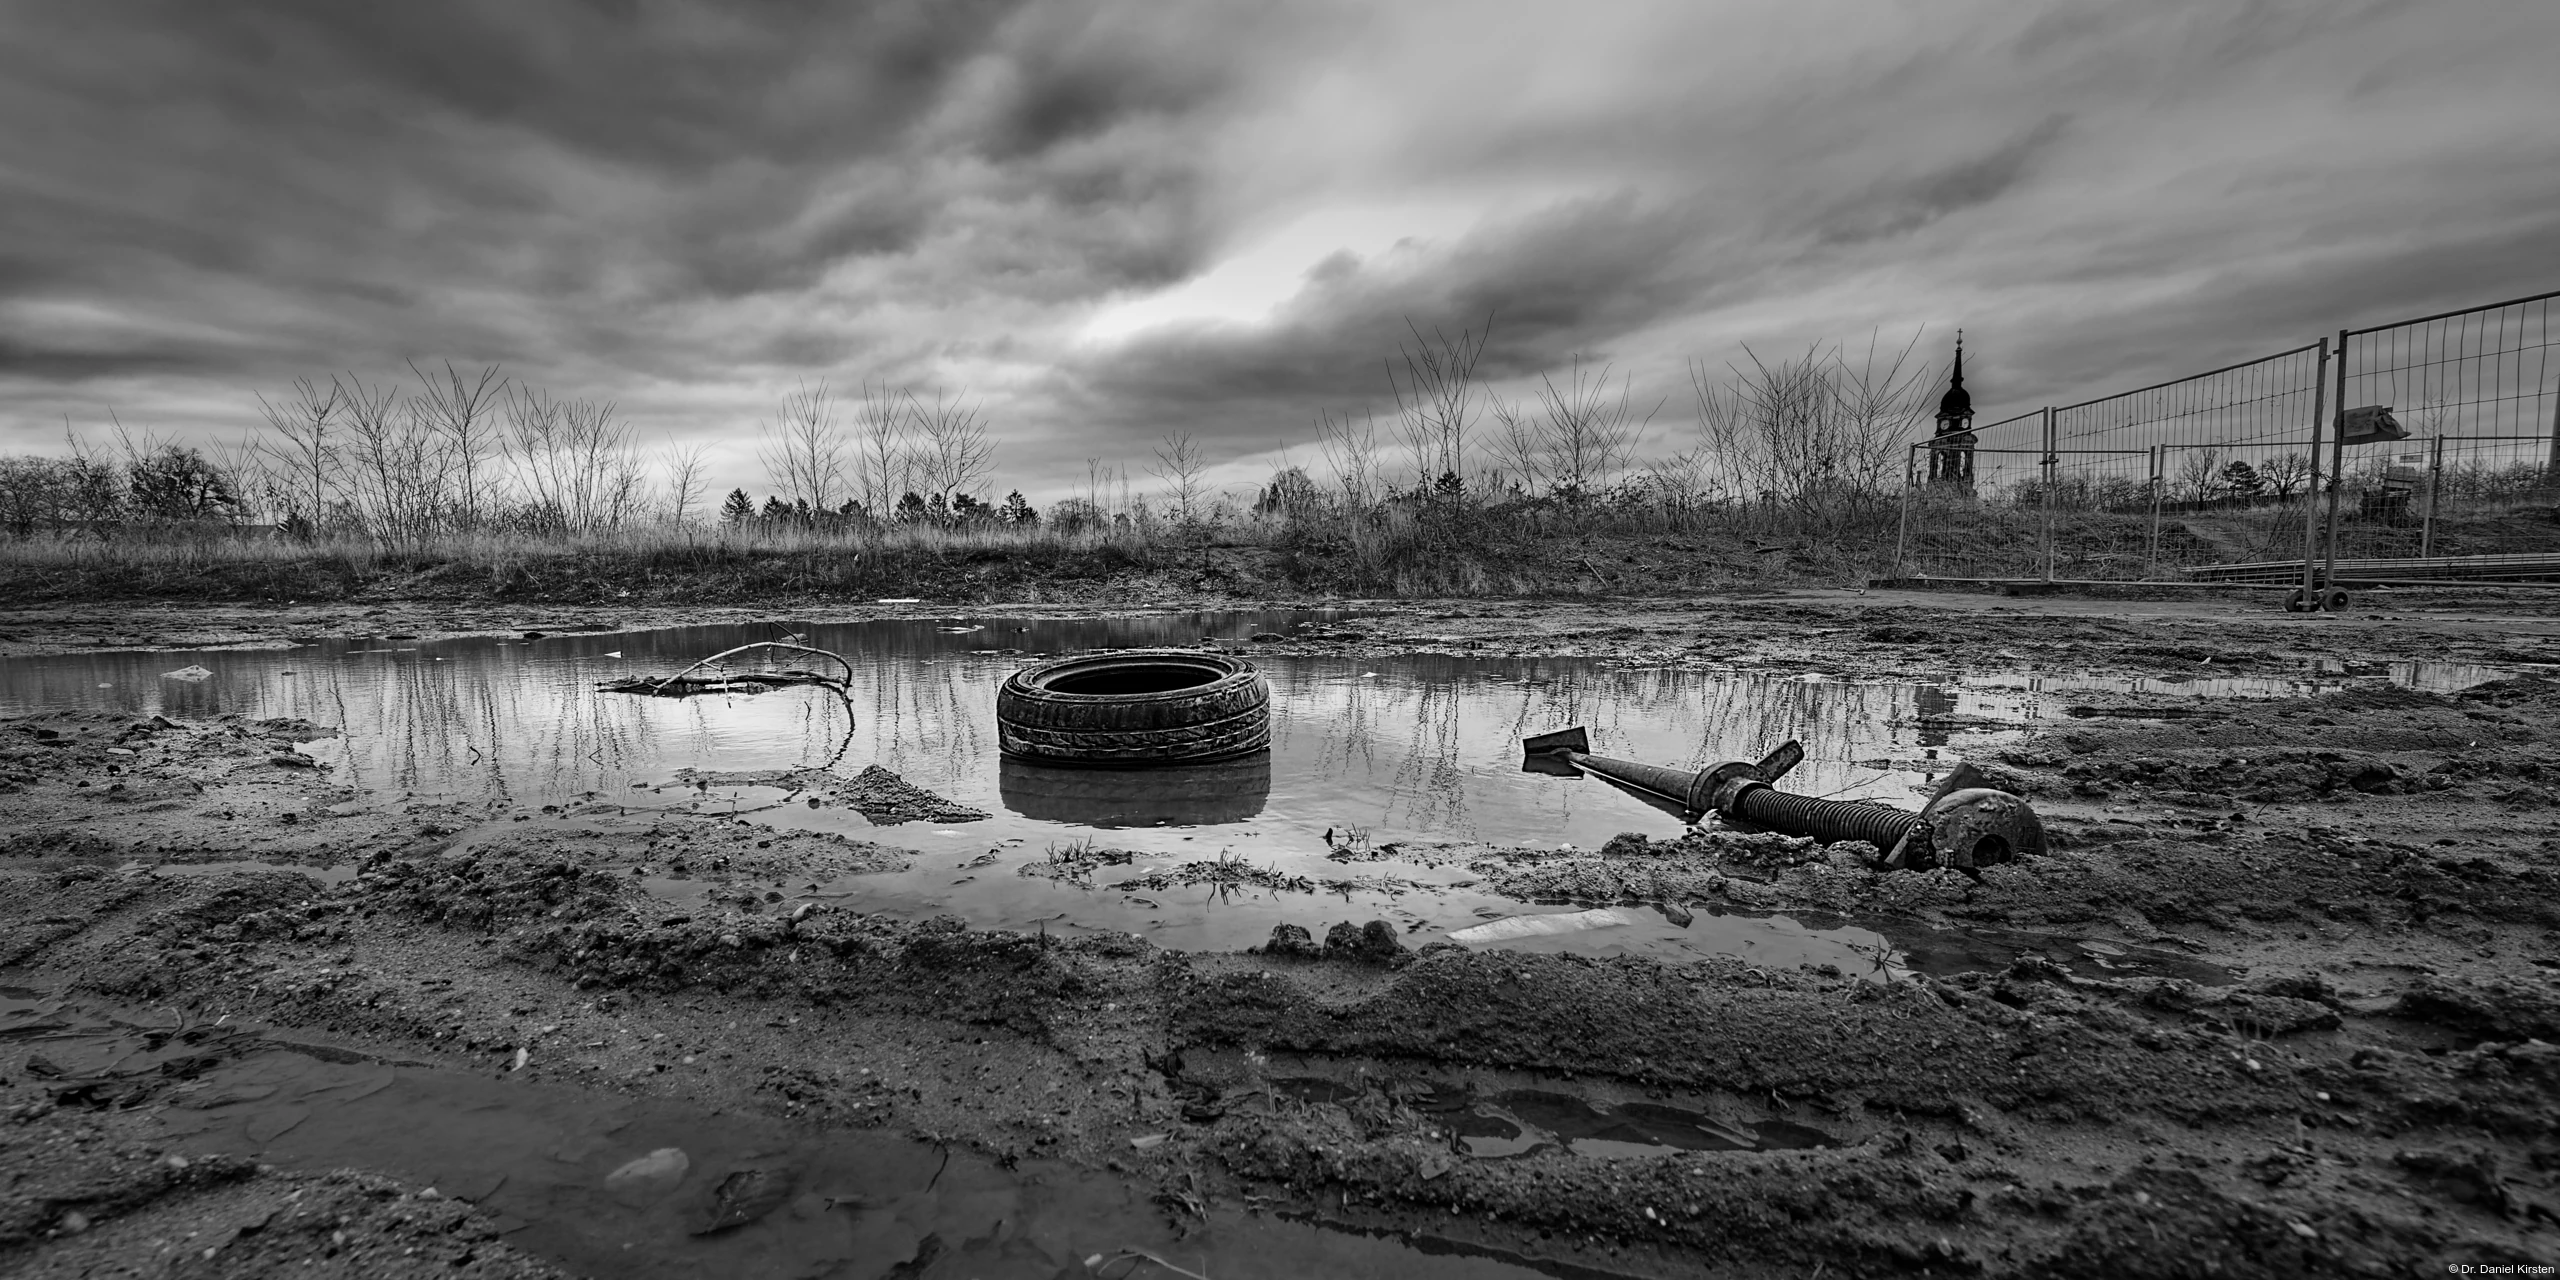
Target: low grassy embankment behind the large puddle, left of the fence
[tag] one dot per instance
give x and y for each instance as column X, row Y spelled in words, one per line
column 1379, row 554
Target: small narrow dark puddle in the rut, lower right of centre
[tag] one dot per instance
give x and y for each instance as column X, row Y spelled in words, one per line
column 1514, row 1123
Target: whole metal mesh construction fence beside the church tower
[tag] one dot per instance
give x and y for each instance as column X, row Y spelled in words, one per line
column 2397, row 454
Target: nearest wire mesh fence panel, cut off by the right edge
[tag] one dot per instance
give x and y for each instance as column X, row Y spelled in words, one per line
column 2472, row 490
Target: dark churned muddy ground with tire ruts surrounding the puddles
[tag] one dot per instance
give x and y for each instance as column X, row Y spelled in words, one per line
column 2356, row 1076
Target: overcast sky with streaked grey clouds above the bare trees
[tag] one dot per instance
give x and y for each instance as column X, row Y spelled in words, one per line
column 1117, row 221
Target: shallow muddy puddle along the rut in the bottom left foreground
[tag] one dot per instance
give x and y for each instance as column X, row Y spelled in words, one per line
column 649, row 1189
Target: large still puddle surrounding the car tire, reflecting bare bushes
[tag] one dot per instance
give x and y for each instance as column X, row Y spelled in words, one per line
column 1420, row 749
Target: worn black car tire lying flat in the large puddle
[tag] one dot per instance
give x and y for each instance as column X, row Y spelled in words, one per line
column 1133, row 710
